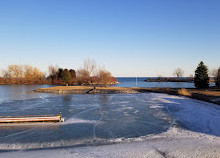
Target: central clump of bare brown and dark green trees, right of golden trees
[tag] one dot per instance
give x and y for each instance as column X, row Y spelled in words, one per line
column 88, row 74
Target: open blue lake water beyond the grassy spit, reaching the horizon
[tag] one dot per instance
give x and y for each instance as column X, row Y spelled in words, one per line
column 131, row 82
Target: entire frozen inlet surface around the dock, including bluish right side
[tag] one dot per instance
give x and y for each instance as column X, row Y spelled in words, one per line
column 99, row 119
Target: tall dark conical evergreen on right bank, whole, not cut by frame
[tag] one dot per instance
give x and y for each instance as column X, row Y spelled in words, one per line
column 201, row 79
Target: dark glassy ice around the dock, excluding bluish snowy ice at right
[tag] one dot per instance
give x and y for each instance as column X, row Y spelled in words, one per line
column 89, row 119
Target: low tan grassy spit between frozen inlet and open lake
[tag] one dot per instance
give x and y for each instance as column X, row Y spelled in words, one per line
column 209, row 95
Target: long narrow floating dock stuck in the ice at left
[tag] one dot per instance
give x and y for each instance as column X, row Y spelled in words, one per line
column 31, row 119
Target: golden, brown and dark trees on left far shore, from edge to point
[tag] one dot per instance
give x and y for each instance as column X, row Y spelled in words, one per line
column 88, row 74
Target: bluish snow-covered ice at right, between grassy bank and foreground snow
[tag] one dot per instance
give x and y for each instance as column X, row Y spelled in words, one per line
column 198, row 116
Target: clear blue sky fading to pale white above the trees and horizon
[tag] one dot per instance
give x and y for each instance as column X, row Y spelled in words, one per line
column 129, row 37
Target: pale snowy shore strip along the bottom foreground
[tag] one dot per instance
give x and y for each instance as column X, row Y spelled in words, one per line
column 175, row 142
